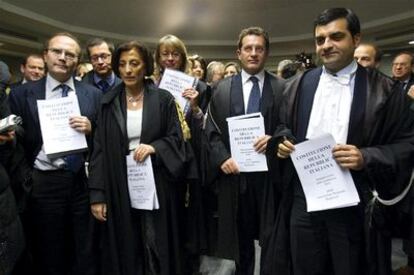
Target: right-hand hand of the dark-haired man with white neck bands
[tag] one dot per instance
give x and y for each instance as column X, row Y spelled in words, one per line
column 348, row 156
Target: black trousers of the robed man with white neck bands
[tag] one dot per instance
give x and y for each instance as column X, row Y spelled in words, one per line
column 329, row 242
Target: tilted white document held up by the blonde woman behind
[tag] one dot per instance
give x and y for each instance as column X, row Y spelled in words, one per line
column 176, row 82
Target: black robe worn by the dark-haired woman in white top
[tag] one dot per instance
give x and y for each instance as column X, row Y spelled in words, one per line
column 124, row 249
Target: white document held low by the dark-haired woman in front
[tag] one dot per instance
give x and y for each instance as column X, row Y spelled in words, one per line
column 141, row 184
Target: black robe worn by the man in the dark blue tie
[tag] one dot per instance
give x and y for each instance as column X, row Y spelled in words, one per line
column 227, row 101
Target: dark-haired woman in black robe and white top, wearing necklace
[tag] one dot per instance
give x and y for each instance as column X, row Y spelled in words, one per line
column 139, row 119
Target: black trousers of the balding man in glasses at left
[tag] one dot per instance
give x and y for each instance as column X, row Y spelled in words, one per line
column 61, row 224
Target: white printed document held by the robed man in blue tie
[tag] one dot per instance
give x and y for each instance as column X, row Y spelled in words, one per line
column 244, row 130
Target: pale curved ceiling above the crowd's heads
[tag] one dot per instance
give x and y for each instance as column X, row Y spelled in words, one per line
column 208, row 27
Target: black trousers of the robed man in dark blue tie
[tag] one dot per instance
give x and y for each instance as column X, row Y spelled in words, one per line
column 249, row 209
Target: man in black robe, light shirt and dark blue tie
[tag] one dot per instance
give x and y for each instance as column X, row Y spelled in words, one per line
column 239, row 195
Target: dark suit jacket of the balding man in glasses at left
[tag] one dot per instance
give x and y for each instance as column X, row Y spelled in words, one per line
column 23, row 103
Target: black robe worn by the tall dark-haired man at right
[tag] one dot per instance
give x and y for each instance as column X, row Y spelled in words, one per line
column 382, row 126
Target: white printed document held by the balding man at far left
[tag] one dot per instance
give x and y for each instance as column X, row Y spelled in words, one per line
column 59, row 138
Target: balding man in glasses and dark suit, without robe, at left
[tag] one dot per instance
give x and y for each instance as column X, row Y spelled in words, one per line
column 60, row 223
